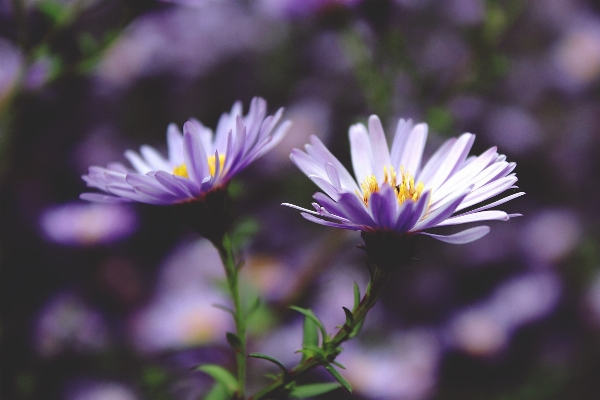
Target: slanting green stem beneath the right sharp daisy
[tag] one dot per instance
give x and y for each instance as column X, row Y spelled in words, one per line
column 378, row 280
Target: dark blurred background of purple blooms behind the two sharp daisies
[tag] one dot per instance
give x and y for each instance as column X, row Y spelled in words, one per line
column 115, row 302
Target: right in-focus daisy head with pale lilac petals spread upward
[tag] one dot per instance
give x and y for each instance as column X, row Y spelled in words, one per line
column 393, row 192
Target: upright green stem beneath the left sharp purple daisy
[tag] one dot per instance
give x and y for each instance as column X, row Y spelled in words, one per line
column 231, row 272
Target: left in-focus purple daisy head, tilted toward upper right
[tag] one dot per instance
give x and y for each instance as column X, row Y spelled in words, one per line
column 198, row 161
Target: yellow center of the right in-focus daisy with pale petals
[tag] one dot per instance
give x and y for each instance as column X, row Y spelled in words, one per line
column 404, row 185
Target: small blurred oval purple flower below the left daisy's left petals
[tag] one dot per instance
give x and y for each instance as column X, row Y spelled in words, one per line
column 78, row 224
